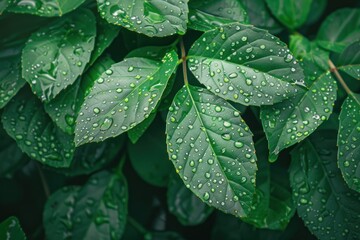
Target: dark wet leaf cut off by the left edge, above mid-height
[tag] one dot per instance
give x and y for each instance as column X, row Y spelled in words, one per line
column 10, row 72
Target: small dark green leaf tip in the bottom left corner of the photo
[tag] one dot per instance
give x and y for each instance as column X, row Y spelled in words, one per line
column 10, row 229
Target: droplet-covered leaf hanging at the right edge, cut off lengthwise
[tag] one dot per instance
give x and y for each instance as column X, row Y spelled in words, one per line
column 349, row 148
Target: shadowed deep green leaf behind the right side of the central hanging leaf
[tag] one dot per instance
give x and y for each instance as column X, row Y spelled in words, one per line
column 273, row 205
